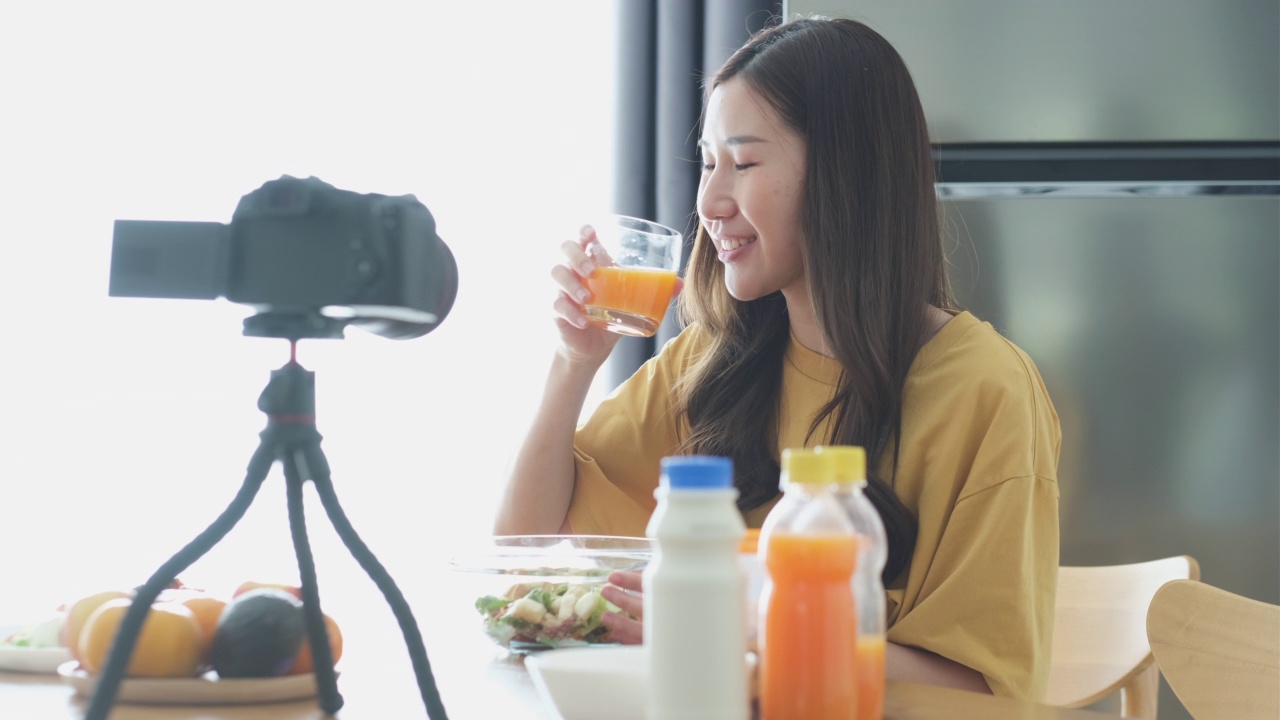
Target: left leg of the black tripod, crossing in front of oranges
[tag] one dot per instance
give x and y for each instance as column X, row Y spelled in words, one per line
column 127, row 636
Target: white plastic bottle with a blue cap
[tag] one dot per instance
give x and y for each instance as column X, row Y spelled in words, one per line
column 694, row 604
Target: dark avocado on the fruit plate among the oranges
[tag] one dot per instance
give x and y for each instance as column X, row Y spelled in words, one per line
column 259, row 635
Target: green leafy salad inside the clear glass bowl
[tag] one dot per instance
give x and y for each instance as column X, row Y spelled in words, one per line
column 550, row 614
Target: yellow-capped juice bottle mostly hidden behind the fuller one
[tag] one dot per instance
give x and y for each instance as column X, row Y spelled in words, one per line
column 868, row 585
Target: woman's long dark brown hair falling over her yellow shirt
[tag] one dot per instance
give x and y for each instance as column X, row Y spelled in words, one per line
column 872, row 253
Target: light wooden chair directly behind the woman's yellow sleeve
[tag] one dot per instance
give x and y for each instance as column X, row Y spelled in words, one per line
column 1100, row 635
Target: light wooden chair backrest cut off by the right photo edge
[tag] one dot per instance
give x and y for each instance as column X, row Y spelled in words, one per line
column 1220, row 653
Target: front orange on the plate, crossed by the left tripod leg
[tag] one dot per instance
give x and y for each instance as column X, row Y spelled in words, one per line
column 168, row 646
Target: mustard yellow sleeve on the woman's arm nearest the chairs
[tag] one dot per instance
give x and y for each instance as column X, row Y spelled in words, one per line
column 980, row 471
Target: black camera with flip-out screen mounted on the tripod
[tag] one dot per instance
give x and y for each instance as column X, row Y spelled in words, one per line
column 308, row 257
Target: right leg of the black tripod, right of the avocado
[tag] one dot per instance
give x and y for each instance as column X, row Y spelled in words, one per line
column 319, row 471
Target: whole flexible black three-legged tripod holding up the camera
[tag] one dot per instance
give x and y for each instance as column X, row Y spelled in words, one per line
column 292, row 439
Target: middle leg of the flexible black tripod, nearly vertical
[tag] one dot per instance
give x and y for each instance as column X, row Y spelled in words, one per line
column 327, row 683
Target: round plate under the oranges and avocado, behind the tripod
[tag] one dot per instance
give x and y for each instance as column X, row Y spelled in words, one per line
column 207, row 690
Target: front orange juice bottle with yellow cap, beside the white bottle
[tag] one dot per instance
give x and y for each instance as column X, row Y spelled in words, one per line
column 808, row 644
